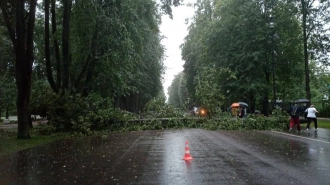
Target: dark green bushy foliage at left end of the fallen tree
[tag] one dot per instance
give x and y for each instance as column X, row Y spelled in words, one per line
column 83, row 115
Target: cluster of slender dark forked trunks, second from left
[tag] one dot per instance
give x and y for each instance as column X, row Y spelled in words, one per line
column 51, row 36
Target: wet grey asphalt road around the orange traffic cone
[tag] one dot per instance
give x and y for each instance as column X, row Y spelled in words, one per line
column 155, row 157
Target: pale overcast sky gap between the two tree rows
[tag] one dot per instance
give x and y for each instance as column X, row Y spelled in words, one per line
column 175, row 31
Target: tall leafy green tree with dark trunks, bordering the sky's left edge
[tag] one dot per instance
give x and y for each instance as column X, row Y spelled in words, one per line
column 115, row 51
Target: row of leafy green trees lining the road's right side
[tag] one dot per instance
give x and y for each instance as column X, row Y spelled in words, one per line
column 257, row 51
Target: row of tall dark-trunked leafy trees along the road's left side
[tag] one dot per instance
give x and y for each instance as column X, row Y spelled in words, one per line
column 109, row 47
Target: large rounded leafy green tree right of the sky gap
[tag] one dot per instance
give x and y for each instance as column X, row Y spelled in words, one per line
column 242, row 37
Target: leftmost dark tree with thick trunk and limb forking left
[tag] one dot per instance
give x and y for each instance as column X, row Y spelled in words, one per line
column 19, row 17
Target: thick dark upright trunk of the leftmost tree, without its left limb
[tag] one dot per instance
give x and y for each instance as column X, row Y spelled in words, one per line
column 24, row 63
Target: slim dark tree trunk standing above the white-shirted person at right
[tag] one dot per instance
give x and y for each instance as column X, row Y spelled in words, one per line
column 304, row 23
